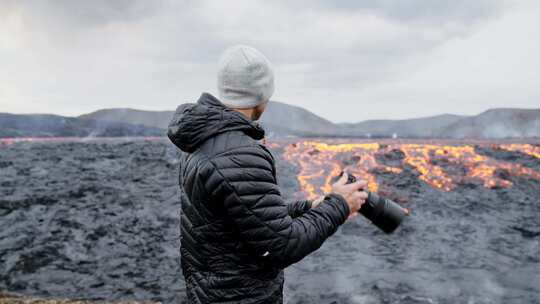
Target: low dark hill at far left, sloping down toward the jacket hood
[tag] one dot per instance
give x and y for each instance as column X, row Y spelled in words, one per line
column 47, row 125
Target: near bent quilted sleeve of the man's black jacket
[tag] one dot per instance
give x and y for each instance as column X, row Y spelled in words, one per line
column 254, row 204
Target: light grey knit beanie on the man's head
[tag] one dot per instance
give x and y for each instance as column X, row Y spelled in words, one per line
column 245, row 77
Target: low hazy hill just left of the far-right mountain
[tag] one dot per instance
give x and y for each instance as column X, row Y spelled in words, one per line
column 418, row 127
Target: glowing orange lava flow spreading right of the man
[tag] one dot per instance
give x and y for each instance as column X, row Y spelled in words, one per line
column 441, row 166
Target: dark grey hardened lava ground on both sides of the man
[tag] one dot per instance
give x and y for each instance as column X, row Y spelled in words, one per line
column 99, row 220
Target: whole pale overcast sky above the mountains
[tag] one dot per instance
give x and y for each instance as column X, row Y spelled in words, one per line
column 345, row 60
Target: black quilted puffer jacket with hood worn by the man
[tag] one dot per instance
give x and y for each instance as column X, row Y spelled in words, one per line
column 237, row 233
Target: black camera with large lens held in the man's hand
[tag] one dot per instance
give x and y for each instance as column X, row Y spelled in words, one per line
column 386, row 214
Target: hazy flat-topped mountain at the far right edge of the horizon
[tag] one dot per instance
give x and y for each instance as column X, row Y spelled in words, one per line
column 495, row 123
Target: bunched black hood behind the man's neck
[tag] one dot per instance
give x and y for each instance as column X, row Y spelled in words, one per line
column 194, row 123
